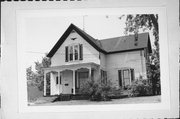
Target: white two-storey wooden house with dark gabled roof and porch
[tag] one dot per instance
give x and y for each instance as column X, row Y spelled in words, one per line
column 77, row 56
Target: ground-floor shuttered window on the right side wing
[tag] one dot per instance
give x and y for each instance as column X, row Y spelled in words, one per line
column 126, row 76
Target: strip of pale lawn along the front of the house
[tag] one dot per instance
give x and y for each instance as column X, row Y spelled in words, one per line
column 147, row 99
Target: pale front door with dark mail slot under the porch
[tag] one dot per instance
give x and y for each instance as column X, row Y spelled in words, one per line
column 67, row 80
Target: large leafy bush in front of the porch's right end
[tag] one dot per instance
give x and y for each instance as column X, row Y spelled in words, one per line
column 96, row 90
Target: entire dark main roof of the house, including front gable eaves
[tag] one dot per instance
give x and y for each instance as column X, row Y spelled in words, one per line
column 107, row 46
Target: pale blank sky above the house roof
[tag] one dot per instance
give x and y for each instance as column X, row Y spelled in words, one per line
column 43, row 32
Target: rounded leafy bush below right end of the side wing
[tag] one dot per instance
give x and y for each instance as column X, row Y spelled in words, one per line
column 140, row 88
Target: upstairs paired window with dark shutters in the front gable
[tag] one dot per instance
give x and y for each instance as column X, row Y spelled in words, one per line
column 74, row 52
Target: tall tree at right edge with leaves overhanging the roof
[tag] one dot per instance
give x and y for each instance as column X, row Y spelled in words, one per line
column 144, row 22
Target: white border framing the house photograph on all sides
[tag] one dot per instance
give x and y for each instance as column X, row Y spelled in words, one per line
column 164, row 60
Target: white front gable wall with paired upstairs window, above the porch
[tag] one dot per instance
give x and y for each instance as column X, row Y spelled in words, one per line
column 74, row 41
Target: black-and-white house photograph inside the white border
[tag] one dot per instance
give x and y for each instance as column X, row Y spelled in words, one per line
column 100, row 59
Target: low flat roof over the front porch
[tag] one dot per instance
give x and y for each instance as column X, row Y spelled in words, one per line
column 72, row 66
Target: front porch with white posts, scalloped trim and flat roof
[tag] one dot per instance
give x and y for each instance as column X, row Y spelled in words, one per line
column 68, row 79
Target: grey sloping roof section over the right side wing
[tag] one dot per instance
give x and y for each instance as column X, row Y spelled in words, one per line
column 126, row 43
